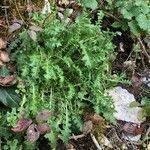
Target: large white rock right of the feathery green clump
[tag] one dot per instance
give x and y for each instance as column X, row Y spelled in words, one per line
column 122, row 99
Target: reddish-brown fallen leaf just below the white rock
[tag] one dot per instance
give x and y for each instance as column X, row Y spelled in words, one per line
column 132, row 129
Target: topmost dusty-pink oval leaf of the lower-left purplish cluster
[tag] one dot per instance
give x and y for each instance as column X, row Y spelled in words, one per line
column 43, row 115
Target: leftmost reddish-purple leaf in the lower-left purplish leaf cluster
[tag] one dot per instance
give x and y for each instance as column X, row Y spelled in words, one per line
column 22, row 125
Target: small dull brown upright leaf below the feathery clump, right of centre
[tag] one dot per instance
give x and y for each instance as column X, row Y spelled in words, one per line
column 87, row 127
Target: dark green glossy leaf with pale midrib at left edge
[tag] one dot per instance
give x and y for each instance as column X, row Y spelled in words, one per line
column 9, row 97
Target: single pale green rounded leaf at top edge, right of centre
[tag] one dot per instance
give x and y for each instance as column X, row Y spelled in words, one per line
column 90, row 4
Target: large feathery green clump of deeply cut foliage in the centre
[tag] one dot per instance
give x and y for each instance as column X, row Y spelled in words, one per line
column 66, row 70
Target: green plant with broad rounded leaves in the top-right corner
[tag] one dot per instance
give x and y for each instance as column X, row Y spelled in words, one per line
column 135, row 15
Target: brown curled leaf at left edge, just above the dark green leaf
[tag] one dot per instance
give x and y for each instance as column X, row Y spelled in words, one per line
column 8, row 81
